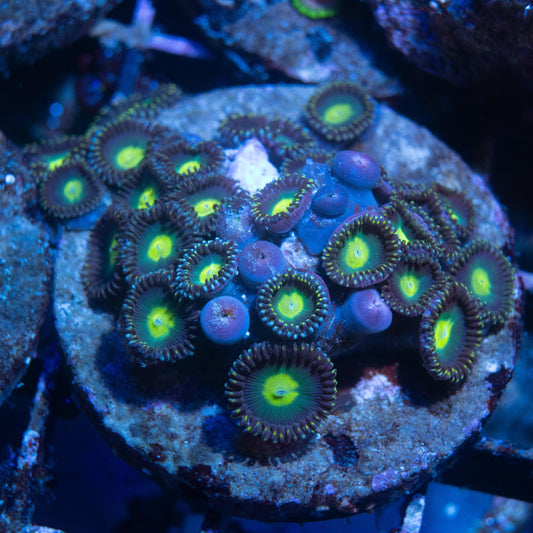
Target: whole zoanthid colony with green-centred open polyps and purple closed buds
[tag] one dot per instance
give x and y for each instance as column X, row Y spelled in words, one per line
column 287, row 276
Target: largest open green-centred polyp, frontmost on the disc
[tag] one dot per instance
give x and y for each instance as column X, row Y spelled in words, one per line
column 281, row 392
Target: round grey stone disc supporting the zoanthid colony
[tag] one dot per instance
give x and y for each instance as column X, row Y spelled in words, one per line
column 392, row 428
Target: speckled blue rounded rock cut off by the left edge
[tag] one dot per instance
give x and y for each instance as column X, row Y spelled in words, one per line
column 25, row 269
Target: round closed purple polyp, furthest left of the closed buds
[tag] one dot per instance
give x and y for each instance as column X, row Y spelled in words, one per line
column 225, row 320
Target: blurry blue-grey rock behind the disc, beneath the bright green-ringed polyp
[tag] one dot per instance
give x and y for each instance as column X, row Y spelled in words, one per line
column 280, row 39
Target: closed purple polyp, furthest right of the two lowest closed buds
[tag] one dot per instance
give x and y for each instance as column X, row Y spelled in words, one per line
column 365, row 312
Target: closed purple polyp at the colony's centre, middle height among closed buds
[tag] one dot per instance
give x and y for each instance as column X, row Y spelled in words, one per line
column 259, row 261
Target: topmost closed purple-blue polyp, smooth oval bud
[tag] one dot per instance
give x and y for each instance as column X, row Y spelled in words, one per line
column 356, row 169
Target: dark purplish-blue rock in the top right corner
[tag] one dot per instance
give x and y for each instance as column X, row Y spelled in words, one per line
column 464, row 42
